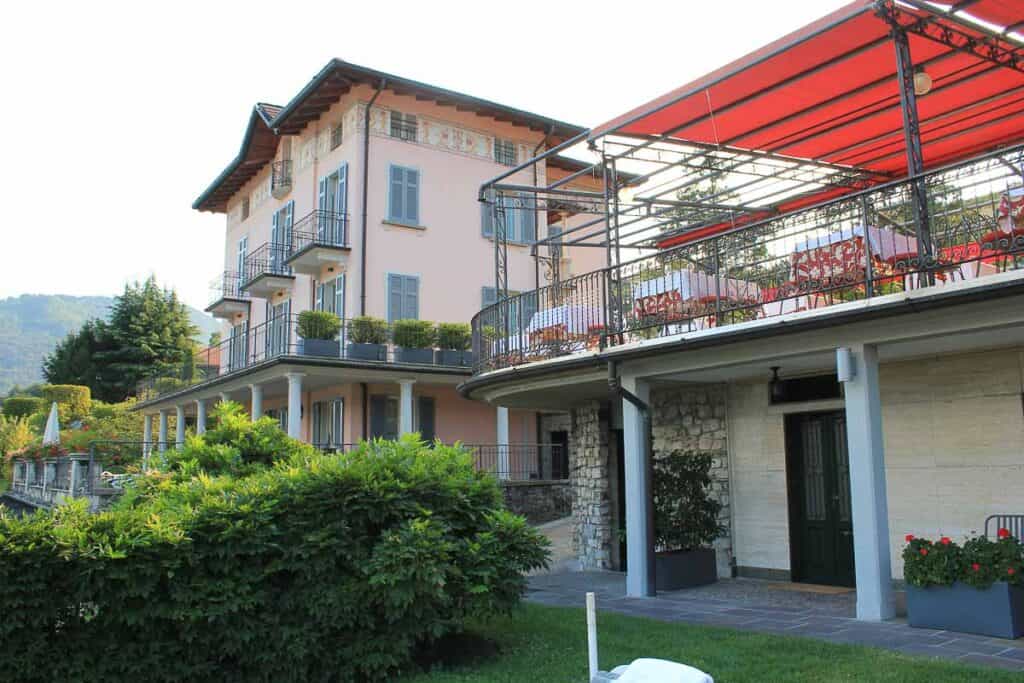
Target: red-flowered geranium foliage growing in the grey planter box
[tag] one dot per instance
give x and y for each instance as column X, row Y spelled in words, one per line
column 979, row 562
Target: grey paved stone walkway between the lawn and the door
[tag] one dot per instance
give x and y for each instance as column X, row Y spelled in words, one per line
column 769, row 607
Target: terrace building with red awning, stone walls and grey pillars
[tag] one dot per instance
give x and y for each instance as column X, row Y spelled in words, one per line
column 829, row 302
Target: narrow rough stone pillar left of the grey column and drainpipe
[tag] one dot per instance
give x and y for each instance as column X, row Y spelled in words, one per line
column 589, row 479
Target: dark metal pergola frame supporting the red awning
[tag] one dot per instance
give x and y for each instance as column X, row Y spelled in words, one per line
column 685, row 188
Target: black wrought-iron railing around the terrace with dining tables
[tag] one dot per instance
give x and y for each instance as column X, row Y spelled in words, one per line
column 855, row 248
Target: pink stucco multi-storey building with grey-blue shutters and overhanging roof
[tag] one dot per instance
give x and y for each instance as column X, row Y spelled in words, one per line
column 360, row 197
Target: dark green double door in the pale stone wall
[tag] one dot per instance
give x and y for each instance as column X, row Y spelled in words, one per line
column 819, row 474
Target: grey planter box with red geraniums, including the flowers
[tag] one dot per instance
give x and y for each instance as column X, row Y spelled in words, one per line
column 974, row 588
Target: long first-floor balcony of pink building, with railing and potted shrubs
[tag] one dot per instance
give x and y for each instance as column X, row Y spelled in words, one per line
column 363, row 341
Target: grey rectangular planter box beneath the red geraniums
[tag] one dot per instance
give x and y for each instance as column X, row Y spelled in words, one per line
column 997, row 611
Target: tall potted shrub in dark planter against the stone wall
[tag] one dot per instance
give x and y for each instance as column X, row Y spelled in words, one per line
column 686, row 522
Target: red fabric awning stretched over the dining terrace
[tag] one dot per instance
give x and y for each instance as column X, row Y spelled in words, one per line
column 829, row 93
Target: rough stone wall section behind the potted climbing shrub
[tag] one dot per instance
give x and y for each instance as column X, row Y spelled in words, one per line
column 694, row 418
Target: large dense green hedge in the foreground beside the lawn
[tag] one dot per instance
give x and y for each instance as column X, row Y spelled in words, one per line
column 322, row 569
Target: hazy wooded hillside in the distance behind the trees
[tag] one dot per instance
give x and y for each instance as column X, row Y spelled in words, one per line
column 33, row 324
